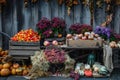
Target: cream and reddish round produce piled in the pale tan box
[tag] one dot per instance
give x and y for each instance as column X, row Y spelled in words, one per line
column 85, row 36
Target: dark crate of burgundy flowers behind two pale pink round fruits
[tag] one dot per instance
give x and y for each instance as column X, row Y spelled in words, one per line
column 52, row 30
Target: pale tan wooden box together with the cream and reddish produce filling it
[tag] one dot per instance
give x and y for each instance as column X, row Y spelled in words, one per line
column 86, row 40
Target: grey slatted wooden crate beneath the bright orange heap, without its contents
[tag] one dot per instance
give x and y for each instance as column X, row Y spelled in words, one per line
column 23, row 48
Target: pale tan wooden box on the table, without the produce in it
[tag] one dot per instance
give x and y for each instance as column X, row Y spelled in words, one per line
column 84, row 43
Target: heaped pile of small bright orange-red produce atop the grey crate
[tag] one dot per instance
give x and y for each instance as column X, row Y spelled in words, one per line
column 28, row 35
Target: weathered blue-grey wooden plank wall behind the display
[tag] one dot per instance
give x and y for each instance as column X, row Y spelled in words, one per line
column 14, row 16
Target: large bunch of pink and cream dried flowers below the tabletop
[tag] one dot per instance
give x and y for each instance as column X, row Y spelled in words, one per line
column 42, row 59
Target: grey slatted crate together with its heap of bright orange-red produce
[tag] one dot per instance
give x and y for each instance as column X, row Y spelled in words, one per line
column 24, row 43
